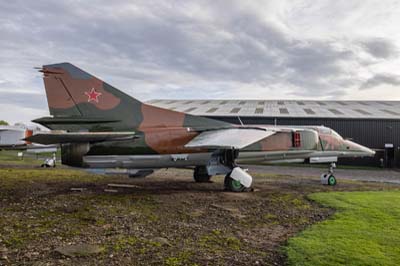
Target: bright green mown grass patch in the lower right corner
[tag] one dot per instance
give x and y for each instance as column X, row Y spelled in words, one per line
column 363, row 231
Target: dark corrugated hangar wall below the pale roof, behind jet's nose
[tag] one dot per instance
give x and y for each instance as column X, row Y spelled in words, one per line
column 373, row 133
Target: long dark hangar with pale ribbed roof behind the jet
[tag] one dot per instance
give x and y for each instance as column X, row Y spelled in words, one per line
column 375, row 124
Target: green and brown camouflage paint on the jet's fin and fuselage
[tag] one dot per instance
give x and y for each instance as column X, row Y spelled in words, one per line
column 79, row 101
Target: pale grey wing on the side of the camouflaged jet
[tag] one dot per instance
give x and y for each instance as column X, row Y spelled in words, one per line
column 236, row 138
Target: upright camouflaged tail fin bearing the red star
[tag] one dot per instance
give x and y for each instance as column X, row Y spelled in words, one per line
column 73, row 92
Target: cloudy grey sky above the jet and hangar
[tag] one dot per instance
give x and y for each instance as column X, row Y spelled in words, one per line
column 203, row 49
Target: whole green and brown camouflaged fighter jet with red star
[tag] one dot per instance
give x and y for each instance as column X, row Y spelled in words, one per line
column 99, row 126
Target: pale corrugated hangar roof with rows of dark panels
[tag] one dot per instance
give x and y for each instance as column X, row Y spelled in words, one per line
column 274, row 108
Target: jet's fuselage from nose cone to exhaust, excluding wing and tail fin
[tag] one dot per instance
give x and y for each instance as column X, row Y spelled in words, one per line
column 165, row 147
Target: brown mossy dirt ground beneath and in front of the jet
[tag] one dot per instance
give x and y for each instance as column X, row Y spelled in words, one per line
column 163, row 219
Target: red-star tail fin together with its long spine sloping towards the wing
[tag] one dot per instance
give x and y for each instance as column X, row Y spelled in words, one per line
column 79, row 101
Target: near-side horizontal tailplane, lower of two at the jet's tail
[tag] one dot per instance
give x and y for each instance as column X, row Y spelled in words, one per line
column 79, row 137
